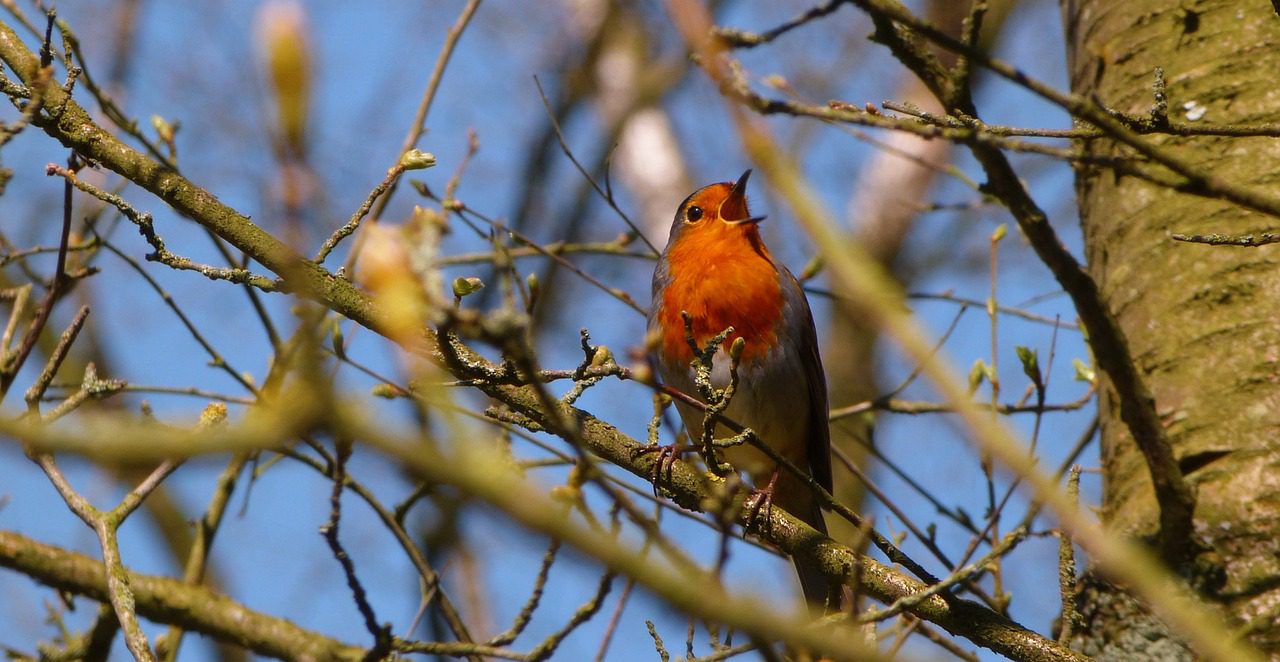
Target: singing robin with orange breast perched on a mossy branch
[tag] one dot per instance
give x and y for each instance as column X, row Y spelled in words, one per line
column 717, row 271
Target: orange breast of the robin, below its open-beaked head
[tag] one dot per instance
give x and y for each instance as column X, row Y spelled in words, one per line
column 723, row 279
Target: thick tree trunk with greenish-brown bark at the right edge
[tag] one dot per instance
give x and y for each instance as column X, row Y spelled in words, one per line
column 1200, row 319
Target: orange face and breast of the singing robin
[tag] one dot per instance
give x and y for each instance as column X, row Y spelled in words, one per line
column 721, row 273
